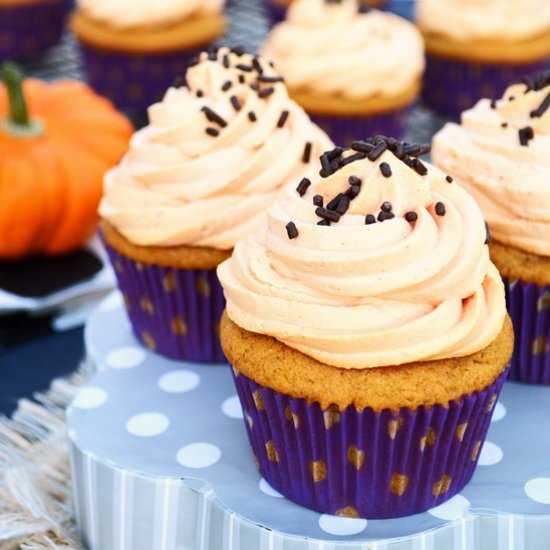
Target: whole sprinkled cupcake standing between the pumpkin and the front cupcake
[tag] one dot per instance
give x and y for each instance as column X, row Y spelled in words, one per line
column 215, row 155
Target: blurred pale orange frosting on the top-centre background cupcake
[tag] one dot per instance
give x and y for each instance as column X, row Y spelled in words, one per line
column 343, row 49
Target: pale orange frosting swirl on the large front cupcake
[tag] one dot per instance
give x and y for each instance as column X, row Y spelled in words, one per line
column 357, row 295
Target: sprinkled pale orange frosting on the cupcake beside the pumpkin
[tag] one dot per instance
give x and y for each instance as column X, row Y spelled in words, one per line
column 217, row 152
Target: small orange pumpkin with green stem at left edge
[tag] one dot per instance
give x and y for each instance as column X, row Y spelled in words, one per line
column 56, row 142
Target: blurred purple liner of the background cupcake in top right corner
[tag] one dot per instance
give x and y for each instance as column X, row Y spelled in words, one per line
column 452, row 86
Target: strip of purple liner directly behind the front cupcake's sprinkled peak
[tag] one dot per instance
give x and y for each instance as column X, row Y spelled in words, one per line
column 346, row 129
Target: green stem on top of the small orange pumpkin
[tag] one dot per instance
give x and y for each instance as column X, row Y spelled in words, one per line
column 18, row 123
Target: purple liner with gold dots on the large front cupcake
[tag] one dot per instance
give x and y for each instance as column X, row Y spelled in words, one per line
column 363, row 463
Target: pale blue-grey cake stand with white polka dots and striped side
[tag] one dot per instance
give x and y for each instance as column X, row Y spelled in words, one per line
column 161, row 461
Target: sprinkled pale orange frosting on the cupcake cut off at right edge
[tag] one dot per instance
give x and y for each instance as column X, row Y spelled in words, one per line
column 500, row 153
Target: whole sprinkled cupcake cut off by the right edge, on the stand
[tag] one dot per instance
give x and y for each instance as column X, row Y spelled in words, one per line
column 500, row 154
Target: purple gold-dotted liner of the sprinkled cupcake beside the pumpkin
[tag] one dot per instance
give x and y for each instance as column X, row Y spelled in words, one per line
column 174, row 312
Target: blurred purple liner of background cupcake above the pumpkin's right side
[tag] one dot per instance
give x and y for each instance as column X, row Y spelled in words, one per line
column 133, row 82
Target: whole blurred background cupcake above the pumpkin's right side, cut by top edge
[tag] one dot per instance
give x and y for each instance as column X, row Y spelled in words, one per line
column 133, row 49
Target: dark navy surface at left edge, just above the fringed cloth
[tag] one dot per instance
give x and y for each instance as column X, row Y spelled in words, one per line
column 29, row 367
